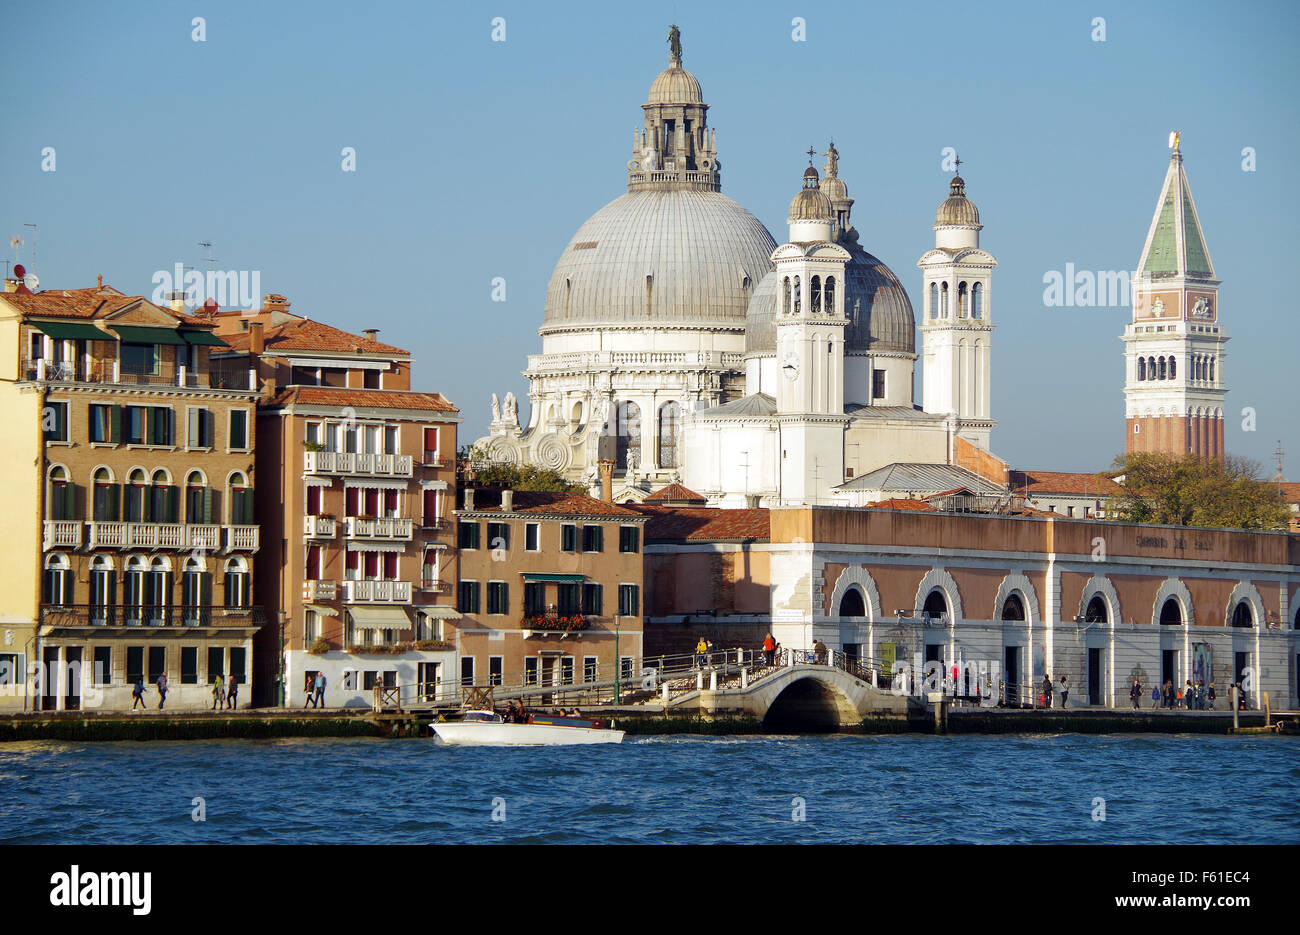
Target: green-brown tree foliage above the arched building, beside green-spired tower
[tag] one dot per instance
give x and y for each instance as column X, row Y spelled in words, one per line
column 1191, row 491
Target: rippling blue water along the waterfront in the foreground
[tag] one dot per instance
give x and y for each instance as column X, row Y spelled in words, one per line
column 924, row 790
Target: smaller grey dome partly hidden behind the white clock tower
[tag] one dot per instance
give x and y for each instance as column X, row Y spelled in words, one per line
column 879, row 313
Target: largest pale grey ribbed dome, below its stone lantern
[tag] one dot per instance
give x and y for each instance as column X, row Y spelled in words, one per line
column 661, row 257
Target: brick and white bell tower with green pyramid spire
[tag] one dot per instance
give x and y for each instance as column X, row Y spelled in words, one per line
column 1175, row 347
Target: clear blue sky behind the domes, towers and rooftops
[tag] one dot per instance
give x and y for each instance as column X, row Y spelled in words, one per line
column 479, row 159
